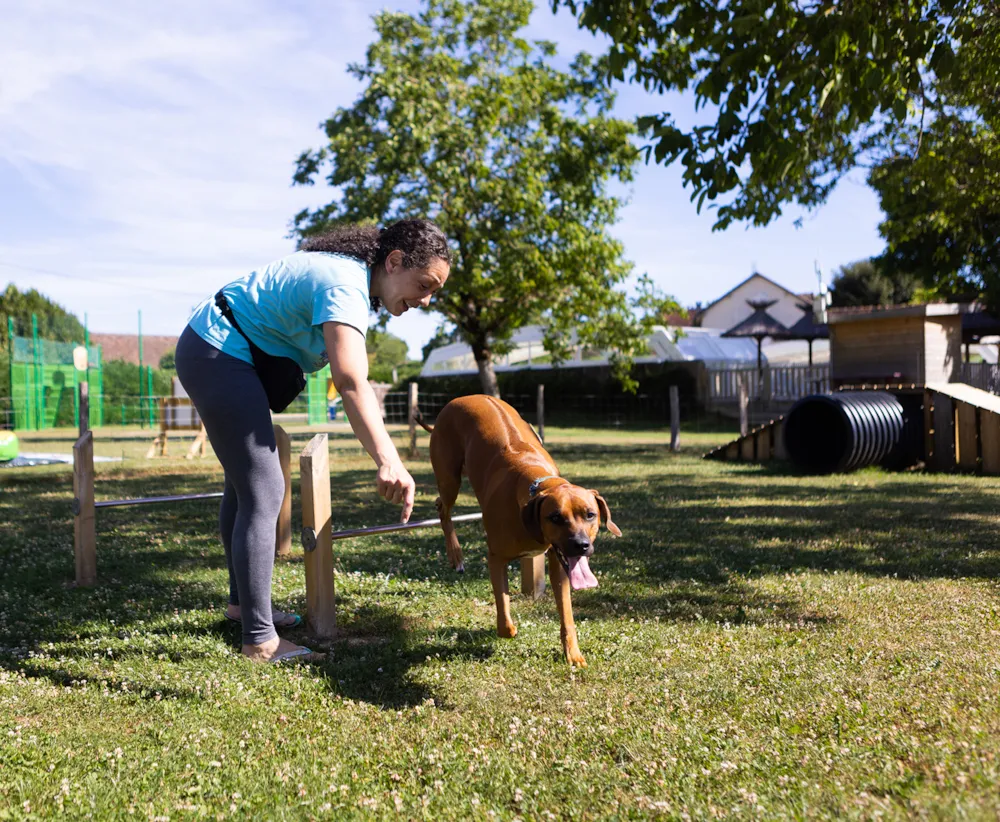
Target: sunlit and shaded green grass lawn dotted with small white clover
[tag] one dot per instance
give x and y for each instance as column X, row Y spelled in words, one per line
column 762, row 645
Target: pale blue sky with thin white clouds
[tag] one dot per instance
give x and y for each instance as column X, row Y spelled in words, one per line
column 146, row 154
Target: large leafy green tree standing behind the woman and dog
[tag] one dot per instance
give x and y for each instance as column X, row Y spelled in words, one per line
column 464, row 121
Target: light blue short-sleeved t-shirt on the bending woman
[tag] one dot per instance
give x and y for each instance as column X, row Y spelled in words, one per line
column 282, row 307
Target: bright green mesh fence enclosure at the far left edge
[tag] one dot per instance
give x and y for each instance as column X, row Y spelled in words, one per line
column 44, row 383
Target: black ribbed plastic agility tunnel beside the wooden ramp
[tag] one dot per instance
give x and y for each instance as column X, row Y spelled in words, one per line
column 830, row 433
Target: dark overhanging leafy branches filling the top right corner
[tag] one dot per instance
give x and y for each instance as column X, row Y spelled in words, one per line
column 791, row 94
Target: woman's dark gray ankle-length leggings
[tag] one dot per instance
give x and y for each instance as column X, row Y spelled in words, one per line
column 232, row 404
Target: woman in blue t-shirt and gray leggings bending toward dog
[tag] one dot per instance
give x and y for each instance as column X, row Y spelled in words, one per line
column 312, row 308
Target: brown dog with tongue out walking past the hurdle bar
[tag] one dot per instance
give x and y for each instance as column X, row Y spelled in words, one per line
column 527, row 507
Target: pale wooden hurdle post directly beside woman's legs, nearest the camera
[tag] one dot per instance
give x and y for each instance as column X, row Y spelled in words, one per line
column 321, row 612
